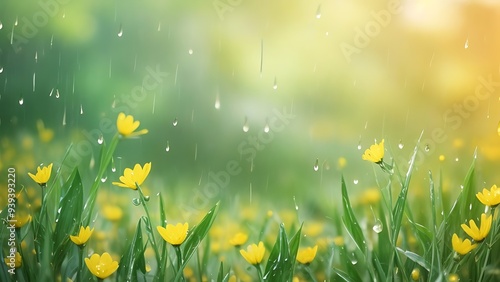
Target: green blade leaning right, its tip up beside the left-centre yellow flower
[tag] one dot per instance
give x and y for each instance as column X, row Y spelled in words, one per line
column 195, row 237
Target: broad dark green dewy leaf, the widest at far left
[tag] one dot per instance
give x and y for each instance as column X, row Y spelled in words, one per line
column 69, row 217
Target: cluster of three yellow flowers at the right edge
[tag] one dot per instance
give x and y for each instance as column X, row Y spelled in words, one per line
column 489, row 198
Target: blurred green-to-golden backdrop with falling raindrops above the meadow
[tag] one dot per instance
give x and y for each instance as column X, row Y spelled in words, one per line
column 349, row 72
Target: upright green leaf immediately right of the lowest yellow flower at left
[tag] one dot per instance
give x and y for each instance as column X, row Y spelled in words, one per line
column 133, row 258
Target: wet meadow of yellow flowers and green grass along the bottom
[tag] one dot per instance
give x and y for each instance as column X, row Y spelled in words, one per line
column 55, row 235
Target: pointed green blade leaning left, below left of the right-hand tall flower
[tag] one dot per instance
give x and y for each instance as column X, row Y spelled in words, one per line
column 350, row 221
